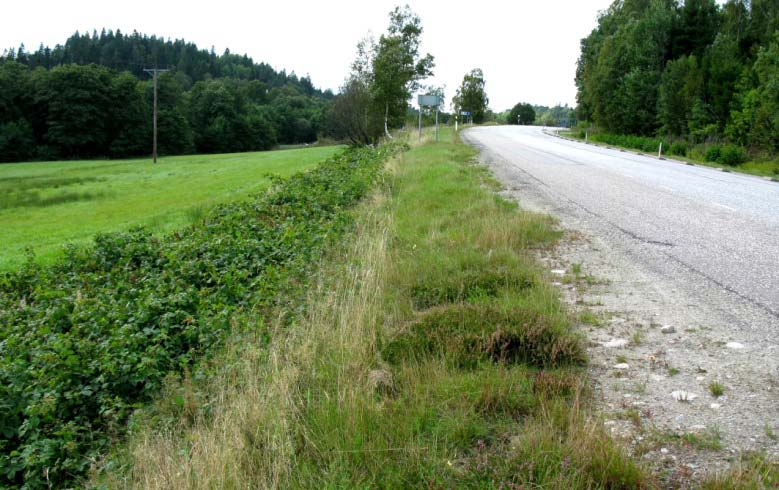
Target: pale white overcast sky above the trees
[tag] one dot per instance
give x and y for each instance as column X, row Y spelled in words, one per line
column 527, row 49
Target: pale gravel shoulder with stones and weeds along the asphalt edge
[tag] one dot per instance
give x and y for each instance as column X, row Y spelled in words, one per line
column 663, row 341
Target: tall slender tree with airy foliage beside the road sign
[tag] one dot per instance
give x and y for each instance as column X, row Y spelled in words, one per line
column 397, row 67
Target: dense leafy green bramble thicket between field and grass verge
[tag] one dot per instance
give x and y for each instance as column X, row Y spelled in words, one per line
column 90, row 338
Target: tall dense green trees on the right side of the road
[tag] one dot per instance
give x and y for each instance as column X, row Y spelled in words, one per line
column 693, row 69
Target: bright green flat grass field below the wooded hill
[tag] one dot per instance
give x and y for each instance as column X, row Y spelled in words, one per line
column 46, row 205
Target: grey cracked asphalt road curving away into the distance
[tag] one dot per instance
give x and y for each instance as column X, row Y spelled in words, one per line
column 713, row 235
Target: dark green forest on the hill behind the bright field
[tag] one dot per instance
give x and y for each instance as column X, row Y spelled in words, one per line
column 90, row 98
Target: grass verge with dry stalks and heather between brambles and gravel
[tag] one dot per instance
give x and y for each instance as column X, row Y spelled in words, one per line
column 431, row 353
